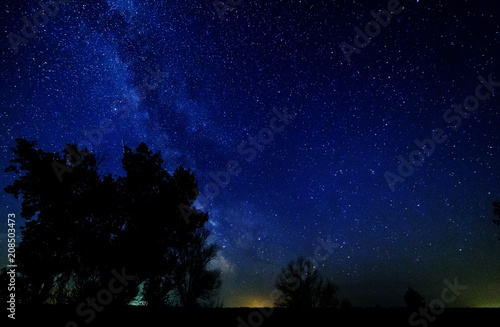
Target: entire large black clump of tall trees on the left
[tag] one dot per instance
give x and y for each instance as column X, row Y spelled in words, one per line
column 80, row 229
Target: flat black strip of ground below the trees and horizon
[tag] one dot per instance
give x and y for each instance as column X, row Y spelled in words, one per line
column 142, row 316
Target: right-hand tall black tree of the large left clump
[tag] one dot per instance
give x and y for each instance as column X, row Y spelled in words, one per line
column 153, row 198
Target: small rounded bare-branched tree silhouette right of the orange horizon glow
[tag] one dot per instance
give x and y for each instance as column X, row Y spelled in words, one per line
column 301, row 286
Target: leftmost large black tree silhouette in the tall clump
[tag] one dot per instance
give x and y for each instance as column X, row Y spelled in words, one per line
column 67, row 233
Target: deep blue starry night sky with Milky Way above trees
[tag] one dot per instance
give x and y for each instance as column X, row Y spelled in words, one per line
column 315, row 123
